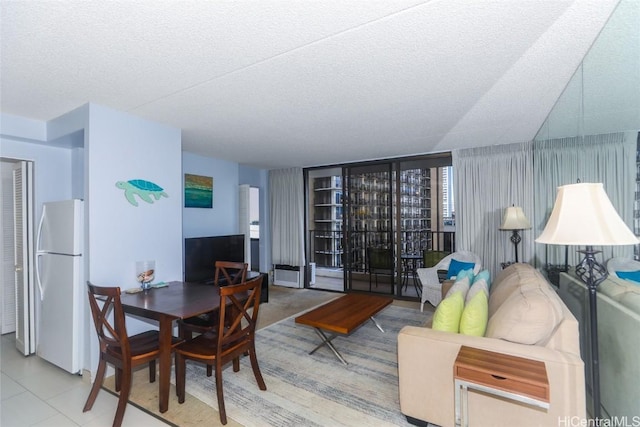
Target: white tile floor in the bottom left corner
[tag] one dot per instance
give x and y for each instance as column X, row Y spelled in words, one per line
column 36, row 393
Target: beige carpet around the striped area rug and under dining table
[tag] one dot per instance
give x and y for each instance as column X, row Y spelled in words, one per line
column 283, row 303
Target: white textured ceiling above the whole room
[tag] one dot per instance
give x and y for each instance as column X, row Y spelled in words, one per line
column 280, row 83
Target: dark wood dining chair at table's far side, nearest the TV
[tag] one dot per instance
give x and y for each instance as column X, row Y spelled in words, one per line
column 227, row 273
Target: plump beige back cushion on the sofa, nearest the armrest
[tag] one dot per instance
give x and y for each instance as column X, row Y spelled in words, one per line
column 528, row 316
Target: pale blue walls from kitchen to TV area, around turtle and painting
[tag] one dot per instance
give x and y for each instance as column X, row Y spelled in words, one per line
column 92, row 148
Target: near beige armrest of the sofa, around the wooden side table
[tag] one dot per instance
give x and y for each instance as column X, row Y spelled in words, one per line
column 425, row 368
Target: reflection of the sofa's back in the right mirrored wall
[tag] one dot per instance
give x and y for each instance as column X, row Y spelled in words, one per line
column 618, row 340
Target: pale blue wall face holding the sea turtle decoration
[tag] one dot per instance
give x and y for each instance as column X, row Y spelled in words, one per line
column 122, row 147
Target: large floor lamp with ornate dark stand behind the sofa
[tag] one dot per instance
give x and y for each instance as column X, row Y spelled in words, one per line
column 584, row 216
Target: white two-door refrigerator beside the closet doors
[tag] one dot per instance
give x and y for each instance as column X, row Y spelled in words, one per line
column 60, row 279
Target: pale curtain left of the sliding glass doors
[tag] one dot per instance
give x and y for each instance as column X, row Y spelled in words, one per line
column 286, row 197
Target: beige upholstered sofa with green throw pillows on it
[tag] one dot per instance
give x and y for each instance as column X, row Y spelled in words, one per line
column 526, row 319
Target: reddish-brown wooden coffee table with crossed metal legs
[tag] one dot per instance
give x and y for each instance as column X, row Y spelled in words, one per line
column 343, row 316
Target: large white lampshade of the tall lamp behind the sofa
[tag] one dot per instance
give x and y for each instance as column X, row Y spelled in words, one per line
column 583, row 215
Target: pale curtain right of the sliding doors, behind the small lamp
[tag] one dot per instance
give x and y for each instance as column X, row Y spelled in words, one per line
column 487, row 181
